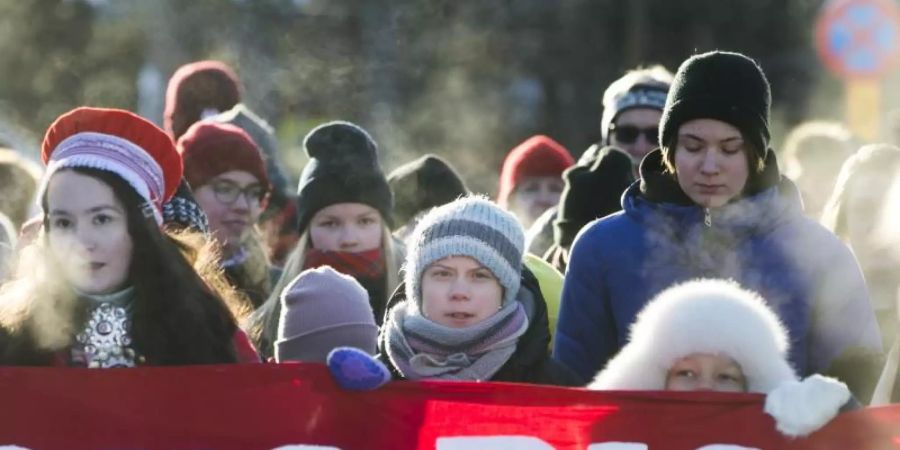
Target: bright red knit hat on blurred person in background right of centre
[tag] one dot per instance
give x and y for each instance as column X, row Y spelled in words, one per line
column 538, row 156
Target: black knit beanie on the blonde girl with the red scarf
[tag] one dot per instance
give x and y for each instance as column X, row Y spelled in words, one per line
column 343, row 168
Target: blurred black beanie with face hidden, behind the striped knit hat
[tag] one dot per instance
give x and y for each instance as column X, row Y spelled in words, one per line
column 422, row 184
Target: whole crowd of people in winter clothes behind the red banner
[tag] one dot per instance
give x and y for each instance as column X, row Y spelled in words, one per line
column 674, row 254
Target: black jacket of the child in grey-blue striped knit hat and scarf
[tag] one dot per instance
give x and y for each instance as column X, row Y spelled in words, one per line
column 531, row 362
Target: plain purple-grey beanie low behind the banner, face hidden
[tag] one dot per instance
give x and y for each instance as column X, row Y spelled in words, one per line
column 322, row 309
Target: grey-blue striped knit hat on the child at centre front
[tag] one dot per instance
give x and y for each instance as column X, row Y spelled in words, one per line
column 471, row 226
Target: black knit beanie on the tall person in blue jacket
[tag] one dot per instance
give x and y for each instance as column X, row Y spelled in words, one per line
column 724, row 86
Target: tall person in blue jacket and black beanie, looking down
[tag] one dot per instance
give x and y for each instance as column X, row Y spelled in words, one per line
column 712, row 203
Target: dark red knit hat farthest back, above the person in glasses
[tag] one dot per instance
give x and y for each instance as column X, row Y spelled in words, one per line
column 195, row 88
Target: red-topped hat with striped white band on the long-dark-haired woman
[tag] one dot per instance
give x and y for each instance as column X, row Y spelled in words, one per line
column 117, row 141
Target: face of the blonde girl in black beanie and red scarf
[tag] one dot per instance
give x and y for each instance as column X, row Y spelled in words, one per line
column 346, row 227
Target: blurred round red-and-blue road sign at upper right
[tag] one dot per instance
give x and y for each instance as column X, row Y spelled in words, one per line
column 859, row 38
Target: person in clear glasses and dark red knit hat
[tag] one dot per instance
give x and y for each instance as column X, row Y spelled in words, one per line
column 225, row 169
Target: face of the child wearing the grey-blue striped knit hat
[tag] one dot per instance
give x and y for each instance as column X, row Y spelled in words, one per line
column 458, row 292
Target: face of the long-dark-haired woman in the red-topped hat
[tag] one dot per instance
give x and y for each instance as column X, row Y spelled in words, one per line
column 88, row 233
